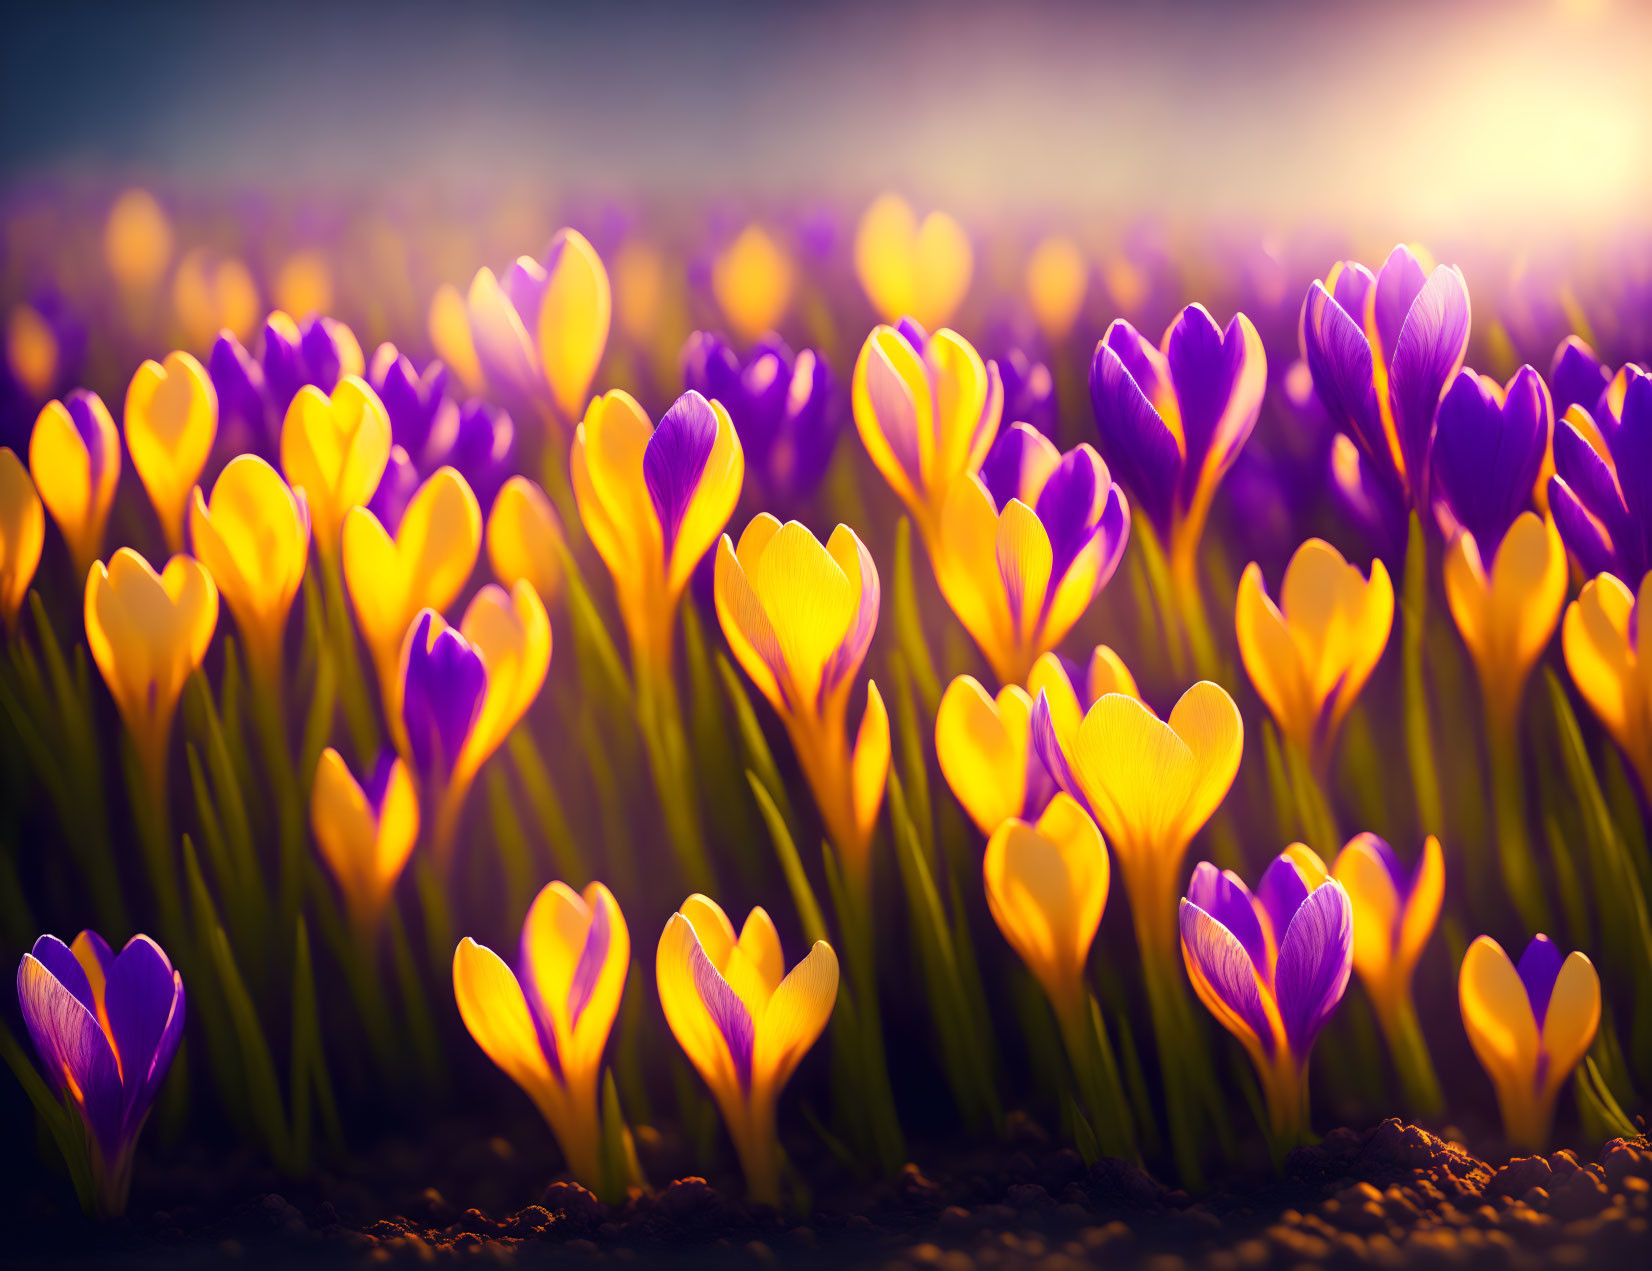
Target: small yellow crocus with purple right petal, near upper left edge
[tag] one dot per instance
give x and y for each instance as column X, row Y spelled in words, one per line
column 75, row 459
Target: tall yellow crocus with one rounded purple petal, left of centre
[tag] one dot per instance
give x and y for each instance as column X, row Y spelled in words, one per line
column 655, row 502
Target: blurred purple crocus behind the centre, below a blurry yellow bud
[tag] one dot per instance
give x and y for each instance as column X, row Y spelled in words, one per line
column 781, row 406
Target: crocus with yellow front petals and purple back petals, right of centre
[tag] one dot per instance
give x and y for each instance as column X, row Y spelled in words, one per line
column 1027, row 546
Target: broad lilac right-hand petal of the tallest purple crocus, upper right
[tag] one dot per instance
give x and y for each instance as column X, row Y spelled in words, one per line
column 1427, row 356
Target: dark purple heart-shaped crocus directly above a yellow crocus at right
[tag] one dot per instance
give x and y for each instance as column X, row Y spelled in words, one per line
column 1489, row 449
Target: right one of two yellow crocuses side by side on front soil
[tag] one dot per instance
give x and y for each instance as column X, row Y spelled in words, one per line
column 743, row 1021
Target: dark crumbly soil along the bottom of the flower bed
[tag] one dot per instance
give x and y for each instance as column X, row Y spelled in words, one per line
column 1392, row 1197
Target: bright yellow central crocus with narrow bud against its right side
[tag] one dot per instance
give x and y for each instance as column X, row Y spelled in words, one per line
column 799, row 619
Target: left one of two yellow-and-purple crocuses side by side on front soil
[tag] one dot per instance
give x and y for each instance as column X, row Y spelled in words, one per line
column 548, row 1022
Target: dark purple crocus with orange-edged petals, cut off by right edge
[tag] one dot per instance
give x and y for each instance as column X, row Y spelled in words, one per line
column 1602, row 492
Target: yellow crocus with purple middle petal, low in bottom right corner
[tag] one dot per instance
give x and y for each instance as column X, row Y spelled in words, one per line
column 1531, row 1026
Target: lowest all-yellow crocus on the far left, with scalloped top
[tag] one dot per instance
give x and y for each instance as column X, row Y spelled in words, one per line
column 148, row 632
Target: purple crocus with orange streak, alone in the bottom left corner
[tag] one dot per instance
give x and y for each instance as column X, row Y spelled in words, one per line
column 107, row 1031
